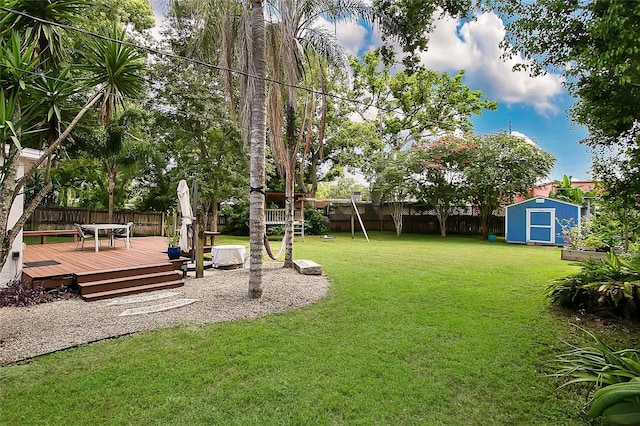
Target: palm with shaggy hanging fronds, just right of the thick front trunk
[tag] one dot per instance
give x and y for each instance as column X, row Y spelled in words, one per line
column 298, row 47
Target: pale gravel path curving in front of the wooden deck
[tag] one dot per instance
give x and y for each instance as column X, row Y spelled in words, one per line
column 219, row 296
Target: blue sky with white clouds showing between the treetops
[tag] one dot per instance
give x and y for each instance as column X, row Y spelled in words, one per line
column 534, row 107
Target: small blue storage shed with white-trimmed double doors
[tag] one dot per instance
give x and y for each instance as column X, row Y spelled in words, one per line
column 538, row 219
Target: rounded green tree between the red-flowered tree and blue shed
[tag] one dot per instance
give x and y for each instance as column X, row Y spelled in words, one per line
column 501, row 167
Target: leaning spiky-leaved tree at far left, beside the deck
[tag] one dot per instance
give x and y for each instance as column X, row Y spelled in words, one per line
column 115, row 74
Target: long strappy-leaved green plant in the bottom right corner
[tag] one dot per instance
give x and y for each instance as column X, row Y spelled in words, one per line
column 615, row 373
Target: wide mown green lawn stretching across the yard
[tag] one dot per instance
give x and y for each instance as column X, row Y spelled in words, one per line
column 415, row 330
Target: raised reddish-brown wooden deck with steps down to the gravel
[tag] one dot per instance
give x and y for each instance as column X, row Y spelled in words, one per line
column 57, row 264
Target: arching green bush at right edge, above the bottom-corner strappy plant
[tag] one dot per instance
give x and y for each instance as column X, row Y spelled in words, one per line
column 611, row 286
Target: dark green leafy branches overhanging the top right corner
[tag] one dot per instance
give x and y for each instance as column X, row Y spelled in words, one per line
column 598, row 41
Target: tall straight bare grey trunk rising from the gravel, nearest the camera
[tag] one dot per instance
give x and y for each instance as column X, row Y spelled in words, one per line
column 257, row 128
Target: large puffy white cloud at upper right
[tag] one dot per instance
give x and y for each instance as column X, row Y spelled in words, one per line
column 474, row 47
